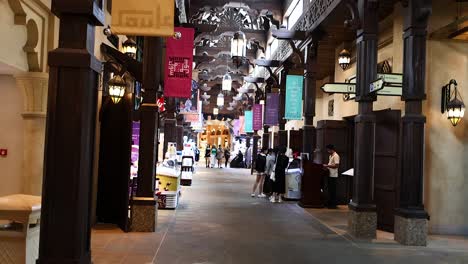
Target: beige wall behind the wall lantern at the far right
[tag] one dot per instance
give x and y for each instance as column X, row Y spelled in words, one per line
column 446, row 167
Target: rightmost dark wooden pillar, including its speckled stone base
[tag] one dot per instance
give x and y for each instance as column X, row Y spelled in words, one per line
column 411, row 217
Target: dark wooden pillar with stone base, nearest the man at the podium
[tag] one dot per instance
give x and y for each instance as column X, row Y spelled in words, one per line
column 363, row 217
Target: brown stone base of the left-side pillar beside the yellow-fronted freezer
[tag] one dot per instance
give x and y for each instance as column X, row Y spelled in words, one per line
column 144, row 214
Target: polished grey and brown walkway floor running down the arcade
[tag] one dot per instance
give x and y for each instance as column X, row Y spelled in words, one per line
column 217, row 222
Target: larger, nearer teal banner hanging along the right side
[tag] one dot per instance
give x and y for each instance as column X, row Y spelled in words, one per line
column 294, row 85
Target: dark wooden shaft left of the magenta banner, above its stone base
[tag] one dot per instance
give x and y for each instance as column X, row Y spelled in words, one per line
column 149, row 116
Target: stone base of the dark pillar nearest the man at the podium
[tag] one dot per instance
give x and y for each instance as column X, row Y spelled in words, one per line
column 362, row 225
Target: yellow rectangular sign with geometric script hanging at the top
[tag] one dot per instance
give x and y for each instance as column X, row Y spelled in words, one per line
column 143, row 17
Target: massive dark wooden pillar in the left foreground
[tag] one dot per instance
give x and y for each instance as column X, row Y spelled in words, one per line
column 69, row 146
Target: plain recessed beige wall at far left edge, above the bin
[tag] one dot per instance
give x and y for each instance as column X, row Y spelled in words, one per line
column 11, row 127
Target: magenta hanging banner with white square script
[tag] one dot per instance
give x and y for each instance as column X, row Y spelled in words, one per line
column 179, row 58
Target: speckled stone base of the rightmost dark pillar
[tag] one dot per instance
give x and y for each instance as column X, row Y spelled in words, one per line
column 411, row 231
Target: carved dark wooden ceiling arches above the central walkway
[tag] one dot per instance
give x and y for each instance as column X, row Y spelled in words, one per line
column 212, row 49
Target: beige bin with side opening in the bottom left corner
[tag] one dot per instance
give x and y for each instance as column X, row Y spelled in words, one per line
column 19, row 228
